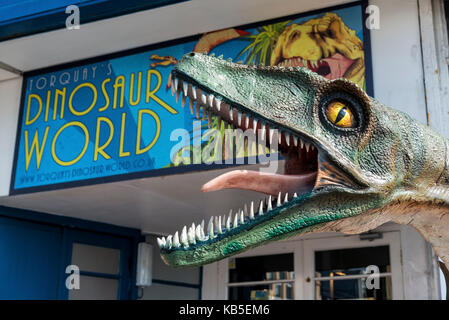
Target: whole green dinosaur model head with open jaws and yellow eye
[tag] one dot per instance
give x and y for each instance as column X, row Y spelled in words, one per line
column 351, row 163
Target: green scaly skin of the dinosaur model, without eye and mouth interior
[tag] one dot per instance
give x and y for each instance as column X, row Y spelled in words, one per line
column 389, row 168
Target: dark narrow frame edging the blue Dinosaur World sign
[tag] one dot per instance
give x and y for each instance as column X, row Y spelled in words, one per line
column 178, row 169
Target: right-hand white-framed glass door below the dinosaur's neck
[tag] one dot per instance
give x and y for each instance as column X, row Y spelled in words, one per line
column 349, row 268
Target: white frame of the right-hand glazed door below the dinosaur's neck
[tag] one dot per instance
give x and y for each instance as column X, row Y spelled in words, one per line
column 391, row 239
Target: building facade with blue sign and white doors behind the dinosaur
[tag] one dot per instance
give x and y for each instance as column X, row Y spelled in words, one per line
column 98, row 89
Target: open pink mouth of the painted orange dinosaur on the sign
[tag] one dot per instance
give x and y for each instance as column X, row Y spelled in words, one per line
column 332, row 67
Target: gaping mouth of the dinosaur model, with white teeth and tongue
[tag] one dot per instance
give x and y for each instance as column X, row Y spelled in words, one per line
column 300, row 172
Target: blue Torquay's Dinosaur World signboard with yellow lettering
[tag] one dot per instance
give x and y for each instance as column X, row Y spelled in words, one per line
column 113, row 117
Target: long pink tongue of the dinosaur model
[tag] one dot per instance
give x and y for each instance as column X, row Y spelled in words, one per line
column 267, row 183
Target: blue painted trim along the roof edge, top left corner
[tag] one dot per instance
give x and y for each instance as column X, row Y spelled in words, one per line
column 89, row 11
